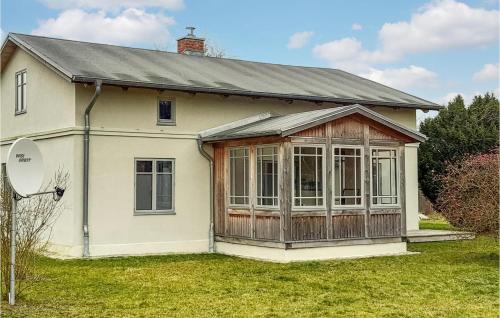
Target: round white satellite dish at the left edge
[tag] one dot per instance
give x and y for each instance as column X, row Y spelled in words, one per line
column 25, row 167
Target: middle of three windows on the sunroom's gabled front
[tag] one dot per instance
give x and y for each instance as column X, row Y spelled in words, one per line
column 348, row 176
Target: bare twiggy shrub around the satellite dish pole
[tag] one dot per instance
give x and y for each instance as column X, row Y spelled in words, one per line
column 35, row 217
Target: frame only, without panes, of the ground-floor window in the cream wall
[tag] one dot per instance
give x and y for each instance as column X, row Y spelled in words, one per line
column 154, row 173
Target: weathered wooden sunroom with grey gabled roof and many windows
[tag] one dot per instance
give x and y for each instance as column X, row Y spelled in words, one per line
column 325, row 178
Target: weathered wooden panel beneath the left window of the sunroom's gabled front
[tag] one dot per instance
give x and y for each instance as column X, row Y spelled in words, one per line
column 308, row 228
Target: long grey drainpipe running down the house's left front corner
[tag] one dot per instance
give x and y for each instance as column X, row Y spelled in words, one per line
column 86, row 140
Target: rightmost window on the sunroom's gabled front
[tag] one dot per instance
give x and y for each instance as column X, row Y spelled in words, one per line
column 385, row 176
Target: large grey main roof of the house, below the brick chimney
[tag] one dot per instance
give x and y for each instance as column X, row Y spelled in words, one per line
column 115, row 65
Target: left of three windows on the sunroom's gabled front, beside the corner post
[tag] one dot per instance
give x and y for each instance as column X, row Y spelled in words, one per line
column 308, row 176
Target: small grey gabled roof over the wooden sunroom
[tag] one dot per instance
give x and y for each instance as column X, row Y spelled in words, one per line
column 268, row 125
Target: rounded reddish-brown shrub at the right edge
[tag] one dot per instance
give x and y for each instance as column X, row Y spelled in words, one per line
column 469, row 196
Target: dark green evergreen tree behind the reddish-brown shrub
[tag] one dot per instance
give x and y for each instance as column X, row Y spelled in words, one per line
column 455, row 132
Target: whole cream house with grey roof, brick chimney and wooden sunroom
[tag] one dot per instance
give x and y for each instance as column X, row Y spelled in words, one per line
column 178, row 152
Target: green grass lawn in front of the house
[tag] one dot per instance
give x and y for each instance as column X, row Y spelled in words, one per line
column 447, row 279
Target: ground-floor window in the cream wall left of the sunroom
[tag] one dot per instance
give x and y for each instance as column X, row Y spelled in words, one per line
column 154, row 186
